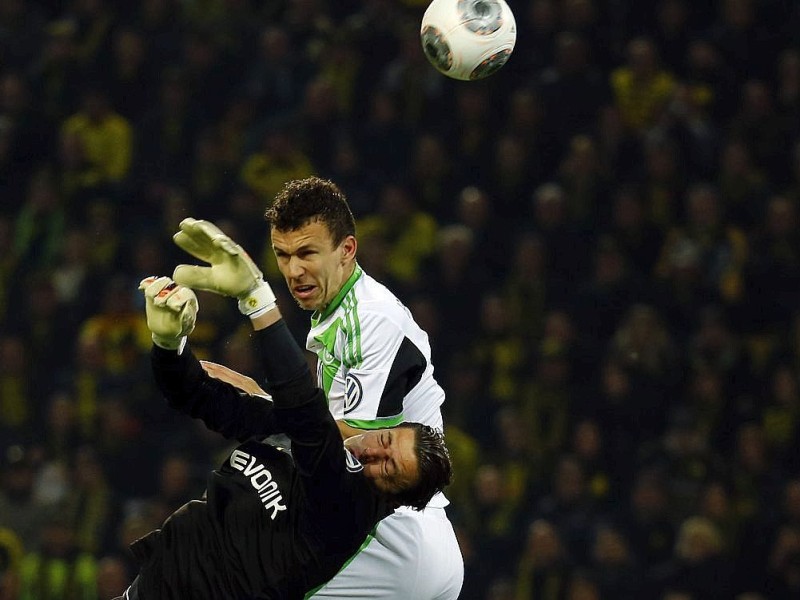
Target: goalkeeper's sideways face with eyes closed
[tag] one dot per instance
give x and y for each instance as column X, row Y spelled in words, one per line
column 388, row 457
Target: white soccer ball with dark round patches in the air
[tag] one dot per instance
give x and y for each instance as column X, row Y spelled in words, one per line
column 468, row 39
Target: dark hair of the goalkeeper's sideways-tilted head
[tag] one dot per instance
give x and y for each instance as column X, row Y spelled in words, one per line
column 435, row 468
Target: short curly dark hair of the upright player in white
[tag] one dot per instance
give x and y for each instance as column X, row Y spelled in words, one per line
column 302, row 201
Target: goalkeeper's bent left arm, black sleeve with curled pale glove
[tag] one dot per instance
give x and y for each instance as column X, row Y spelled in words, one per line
column 171, row 313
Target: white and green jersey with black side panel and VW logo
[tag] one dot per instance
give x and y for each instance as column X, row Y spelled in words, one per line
column 374, row 361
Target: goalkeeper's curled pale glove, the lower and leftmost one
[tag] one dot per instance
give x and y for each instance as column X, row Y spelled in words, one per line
column 171, row 311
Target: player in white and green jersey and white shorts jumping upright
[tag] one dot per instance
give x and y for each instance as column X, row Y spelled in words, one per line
column 374, row 366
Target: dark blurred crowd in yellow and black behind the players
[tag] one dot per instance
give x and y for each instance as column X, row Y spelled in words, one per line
column 601, row 240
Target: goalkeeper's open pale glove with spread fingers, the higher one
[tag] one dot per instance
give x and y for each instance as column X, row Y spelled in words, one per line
column 231, row 272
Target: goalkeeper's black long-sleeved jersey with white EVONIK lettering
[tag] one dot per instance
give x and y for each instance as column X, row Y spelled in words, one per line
column 272, row 525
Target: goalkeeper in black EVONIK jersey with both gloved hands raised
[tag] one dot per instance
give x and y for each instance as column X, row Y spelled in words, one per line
column 271, row 525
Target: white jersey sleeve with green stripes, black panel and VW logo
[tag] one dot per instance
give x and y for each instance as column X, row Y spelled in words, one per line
column 379, row 367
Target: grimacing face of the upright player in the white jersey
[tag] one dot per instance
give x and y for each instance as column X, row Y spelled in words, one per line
column 314, row 268
